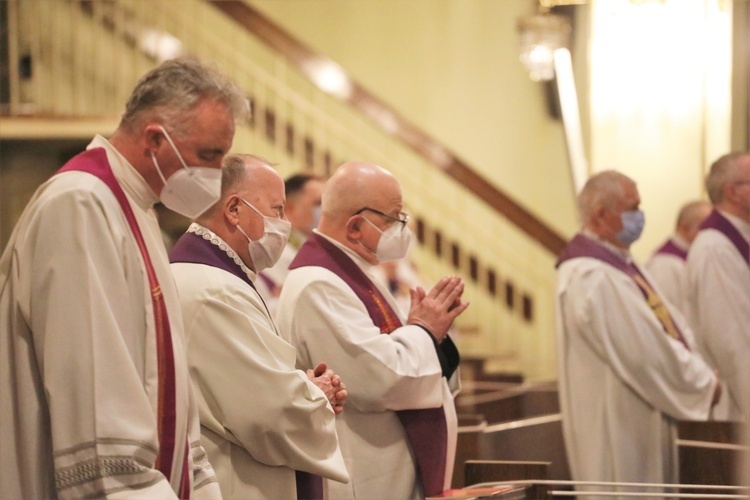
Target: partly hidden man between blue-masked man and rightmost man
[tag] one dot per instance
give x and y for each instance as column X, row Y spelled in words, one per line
column 668, row 263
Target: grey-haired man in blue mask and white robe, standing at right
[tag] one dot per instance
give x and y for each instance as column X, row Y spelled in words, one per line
column 627, row 365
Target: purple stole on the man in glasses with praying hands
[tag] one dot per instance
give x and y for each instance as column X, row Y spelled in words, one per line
column 426, row 429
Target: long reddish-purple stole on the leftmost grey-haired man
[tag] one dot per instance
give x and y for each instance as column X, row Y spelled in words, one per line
column 94, row 161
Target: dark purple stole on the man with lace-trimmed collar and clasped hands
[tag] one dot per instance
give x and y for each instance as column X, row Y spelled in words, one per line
column 193, row 248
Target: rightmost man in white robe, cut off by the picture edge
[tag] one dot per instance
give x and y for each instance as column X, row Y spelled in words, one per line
column 719, row 273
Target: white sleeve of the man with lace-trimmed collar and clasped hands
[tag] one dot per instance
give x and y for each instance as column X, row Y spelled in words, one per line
column 246, row 375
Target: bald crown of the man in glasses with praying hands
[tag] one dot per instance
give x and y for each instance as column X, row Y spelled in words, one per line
column 356, row 185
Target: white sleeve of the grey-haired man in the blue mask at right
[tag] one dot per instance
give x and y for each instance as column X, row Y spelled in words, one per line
column 614, row 318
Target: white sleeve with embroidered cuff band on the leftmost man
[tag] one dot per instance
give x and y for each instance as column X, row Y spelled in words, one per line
column 90, row 343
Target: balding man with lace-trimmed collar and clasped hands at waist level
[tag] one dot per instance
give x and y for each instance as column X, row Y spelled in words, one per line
column 261, row 418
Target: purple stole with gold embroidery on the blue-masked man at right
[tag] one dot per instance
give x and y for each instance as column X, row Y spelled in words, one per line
column 581, row 246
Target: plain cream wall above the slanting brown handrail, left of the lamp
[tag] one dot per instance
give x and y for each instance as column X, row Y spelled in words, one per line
column 451, row 67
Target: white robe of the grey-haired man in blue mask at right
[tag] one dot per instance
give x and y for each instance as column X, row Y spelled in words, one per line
column 623, row 381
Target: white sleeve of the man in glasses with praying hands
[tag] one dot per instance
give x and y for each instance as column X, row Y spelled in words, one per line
column 327, row 322
